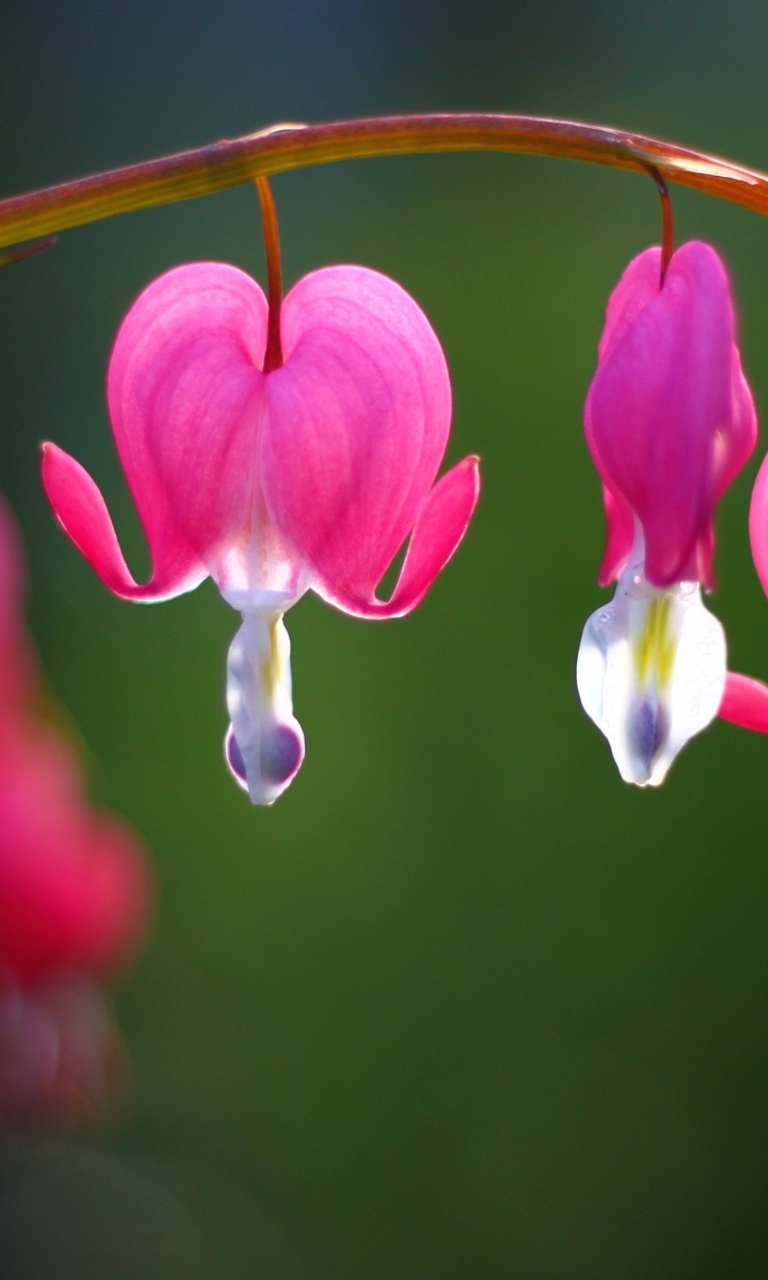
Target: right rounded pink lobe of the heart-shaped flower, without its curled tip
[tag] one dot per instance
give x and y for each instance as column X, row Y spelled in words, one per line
column 355, row 429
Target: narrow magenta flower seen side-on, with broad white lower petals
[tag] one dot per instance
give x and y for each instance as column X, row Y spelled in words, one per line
column 670, row 423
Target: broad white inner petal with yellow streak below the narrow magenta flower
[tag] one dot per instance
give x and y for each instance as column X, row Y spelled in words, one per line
column 651, row 674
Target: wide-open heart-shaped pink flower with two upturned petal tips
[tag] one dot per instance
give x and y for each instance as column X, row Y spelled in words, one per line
column 310, row 476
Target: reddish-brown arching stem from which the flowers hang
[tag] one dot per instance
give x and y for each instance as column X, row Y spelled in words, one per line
column 292, row 147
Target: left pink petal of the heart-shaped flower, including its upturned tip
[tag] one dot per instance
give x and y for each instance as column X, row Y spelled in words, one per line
column 185, row 395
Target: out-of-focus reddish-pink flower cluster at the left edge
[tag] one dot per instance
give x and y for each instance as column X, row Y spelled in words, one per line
column 75, row 895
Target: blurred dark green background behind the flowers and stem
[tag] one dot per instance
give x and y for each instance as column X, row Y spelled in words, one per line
column 461, row 1005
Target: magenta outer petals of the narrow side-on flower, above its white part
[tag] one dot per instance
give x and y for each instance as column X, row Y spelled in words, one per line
column 670, row 419
